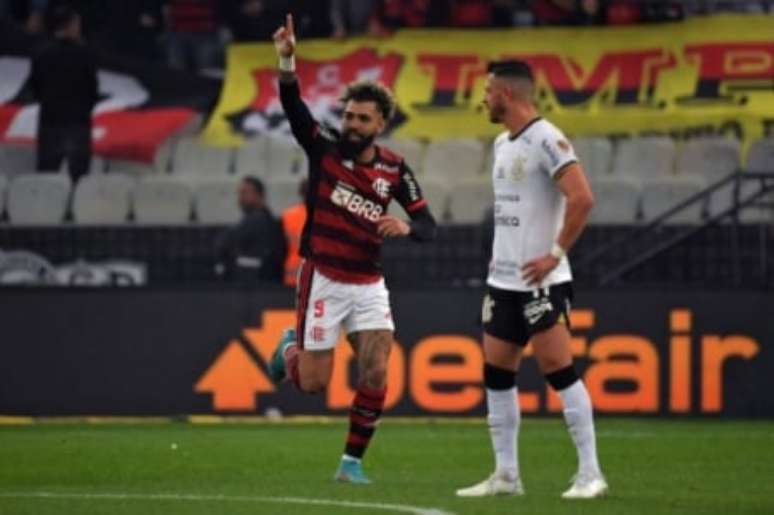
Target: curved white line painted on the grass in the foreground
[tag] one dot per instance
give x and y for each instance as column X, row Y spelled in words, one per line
column 400, row 508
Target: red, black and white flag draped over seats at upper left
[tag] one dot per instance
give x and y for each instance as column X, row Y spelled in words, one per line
column 140, row 105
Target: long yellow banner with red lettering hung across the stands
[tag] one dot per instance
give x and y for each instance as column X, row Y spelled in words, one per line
column 711, row 75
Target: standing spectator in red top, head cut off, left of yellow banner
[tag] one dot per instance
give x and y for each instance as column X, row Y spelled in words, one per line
column 193, row 38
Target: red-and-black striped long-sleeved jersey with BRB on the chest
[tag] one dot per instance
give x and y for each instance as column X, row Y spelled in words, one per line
column 346, row 198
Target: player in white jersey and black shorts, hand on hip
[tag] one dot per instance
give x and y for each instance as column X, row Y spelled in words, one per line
column 542, row 202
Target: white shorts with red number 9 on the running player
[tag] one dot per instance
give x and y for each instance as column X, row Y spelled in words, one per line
column 325, row 305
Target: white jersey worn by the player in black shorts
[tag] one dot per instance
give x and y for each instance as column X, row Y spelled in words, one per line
column 529, row 207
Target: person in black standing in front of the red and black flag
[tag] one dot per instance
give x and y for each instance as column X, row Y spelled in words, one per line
column 64, row 81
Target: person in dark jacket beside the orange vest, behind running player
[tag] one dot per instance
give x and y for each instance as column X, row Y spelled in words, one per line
column 254, row 250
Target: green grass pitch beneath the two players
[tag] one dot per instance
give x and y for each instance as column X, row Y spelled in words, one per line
column 653, row 467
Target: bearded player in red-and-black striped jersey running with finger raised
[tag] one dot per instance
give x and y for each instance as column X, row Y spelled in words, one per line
column 351, row 182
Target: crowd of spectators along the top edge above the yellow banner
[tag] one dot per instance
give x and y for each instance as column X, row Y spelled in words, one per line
column 193, row 33
